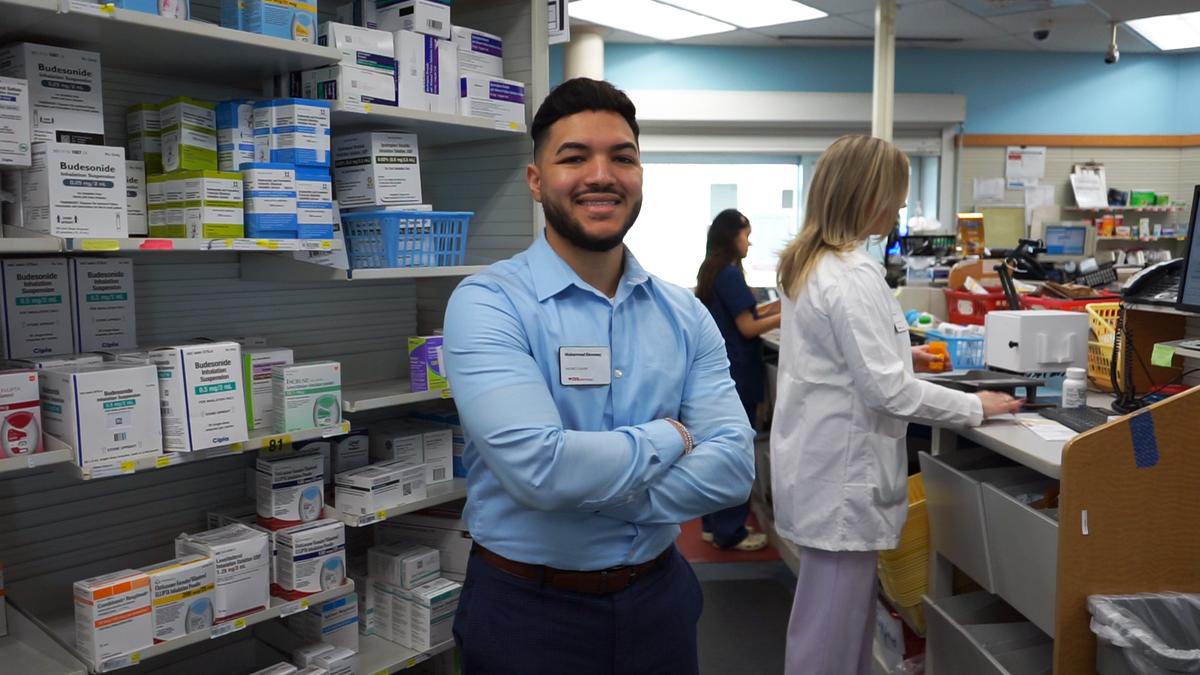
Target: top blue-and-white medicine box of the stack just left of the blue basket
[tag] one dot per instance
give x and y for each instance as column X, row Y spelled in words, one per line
column 293, row 132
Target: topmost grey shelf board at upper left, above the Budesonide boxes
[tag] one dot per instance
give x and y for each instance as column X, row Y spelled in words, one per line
column 185, row 50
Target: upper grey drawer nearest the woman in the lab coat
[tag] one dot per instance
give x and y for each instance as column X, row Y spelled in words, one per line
column 955, row 501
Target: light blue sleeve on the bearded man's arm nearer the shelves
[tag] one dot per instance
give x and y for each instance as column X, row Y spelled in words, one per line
column 511, row 417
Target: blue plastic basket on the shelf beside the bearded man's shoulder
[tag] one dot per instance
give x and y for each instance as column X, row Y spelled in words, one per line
column 389, row 240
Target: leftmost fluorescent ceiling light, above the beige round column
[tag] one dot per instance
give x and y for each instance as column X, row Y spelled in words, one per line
column 649, row 19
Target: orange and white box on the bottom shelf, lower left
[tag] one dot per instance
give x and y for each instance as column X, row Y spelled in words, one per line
column 113, row 616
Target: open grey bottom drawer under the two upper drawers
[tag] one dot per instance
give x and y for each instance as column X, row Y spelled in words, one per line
column 980, row 635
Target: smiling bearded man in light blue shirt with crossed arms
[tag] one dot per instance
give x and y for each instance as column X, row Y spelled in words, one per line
column 599, row 415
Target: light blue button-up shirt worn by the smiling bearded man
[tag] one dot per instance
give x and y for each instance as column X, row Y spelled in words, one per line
column 590, row 477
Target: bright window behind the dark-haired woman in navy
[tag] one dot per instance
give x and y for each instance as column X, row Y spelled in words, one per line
column 682, row 199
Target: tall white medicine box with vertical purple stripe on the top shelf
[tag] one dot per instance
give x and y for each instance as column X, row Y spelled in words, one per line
column 428, row 74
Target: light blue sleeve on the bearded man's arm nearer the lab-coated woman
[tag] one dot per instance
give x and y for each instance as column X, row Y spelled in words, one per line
column 719, row 471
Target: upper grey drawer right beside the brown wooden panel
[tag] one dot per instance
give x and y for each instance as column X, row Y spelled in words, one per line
column 1023, row 546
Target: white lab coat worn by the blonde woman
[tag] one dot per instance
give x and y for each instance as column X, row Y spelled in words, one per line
column 844, row 398
